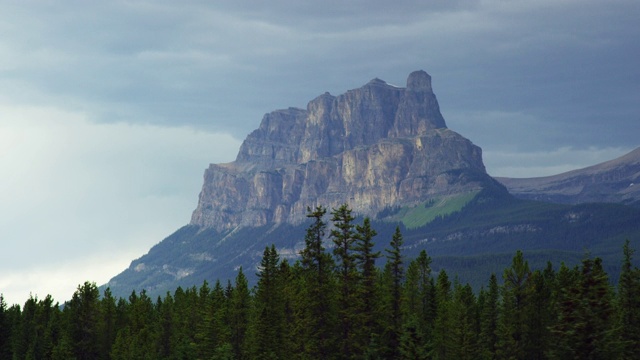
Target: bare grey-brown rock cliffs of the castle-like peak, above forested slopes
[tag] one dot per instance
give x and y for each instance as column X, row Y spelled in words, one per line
column 373, row 147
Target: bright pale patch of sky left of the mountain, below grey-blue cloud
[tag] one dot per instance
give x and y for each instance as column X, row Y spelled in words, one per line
column 73, row 189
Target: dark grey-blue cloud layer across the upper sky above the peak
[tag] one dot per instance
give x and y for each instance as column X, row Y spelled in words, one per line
column 221, row 65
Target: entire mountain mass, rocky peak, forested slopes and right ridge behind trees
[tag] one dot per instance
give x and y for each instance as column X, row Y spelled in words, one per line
column 387, row 153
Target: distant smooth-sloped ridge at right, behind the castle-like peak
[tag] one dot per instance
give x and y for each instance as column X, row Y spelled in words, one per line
column 615, row 181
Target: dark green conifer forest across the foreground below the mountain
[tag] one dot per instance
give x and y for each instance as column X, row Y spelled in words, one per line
column 339, row 304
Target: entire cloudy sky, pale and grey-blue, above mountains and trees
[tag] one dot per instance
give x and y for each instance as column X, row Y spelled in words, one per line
column 111, row 110
